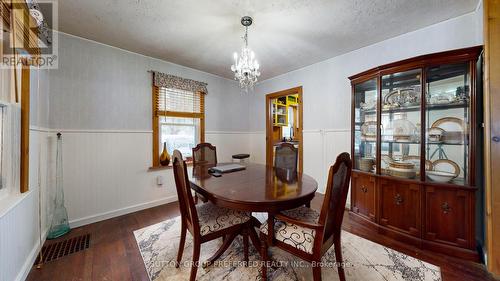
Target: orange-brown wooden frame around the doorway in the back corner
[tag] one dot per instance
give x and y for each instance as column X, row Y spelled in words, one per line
column 269, row 118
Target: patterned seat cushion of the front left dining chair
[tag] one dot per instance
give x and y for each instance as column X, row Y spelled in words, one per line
column 213, row 218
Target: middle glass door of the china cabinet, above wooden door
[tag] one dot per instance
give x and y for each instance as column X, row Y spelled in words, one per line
column 400, row 124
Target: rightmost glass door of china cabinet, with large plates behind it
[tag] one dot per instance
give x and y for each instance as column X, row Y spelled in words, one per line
column 447, row 123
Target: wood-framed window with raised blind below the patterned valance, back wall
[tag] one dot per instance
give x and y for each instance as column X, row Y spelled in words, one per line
column 178, row 121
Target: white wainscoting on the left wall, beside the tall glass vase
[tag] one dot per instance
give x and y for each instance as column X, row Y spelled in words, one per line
column 19, row 226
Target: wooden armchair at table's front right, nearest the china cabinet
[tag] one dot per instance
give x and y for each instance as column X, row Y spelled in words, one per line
column 308, row 234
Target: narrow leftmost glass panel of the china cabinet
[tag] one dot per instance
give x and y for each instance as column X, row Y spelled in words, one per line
column 365, row 125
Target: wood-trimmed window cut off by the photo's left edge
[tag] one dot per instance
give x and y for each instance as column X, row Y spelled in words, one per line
column 15, row 91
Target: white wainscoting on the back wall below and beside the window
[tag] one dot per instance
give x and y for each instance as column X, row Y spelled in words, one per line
column 105, row 172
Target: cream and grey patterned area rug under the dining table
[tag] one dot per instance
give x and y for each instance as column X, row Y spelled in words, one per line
column 364, row 260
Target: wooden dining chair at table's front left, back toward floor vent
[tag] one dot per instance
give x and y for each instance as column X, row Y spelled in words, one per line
column 206, row 221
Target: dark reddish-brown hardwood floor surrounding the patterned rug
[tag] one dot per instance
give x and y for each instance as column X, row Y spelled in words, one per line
column 114, row 255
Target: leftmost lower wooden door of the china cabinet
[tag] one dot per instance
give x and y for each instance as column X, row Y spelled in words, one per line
column 363, row 195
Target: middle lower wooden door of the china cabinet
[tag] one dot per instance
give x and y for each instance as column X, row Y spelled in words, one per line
column 400, row 206
